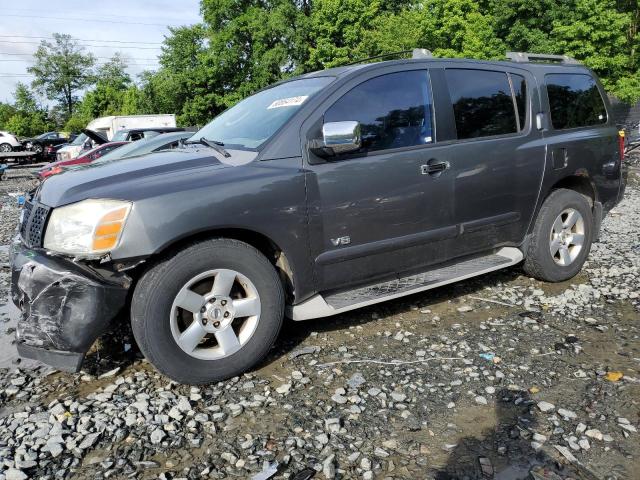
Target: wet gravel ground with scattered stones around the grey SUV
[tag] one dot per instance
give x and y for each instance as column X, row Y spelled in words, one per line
column 498, row 377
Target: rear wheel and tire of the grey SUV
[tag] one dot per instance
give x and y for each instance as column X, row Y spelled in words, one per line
column 555, row 231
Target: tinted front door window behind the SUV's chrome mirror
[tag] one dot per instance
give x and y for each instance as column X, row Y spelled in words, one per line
column 394, row 110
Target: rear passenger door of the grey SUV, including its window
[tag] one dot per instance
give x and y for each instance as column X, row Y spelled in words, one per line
column 498, row 156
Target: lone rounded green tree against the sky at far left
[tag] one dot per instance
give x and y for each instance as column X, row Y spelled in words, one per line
column 62, row 69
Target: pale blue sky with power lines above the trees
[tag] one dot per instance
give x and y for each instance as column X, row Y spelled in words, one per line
column 103, row 27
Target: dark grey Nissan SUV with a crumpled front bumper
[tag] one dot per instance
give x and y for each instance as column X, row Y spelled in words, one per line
column 319, row 195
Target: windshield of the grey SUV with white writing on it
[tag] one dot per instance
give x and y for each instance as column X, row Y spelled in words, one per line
column 255, row 119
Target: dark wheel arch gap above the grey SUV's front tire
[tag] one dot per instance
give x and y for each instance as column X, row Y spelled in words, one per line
column 265, row 245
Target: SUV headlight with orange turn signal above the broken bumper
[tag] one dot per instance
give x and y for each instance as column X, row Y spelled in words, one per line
column 86, row 228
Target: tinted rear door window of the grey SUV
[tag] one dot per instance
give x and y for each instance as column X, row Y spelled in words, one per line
column 482, row 103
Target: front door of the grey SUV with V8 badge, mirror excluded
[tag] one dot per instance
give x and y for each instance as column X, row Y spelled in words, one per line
column 385, row 209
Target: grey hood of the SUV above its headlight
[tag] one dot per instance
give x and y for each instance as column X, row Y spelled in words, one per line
column 128, row 179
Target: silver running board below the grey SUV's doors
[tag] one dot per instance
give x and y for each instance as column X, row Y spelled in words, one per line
column 343, row 301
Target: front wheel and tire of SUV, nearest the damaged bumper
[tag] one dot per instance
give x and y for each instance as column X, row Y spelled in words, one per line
column 159, row 322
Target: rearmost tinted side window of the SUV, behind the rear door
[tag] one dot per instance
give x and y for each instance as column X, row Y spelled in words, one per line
column 574, row 101
